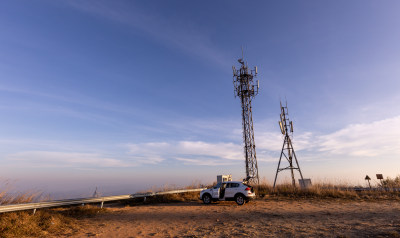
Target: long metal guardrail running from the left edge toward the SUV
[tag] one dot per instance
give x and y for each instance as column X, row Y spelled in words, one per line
column 60, row 203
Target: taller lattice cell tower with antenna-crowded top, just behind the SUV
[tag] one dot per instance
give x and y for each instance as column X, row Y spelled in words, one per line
column 246, row 90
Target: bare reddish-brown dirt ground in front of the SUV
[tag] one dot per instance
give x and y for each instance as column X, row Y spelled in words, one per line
column 262, row 218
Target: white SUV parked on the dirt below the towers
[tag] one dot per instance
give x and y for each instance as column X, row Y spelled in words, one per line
column 228, row 191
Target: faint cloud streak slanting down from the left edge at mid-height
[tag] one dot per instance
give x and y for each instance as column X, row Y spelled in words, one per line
column 79, row 106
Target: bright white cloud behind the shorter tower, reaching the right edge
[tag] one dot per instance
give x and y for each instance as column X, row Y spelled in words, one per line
column 378, row 139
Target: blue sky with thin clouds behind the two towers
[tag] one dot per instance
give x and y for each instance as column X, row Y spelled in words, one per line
column 126, row 95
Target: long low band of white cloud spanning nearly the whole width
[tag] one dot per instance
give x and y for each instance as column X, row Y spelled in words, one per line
column 377, row 139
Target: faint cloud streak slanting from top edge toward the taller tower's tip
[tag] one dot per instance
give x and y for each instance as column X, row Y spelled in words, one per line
column 181, row 35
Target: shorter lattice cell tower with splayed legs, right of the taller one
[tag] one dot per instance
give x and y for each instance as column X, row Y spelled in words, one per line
column 287, row 148
